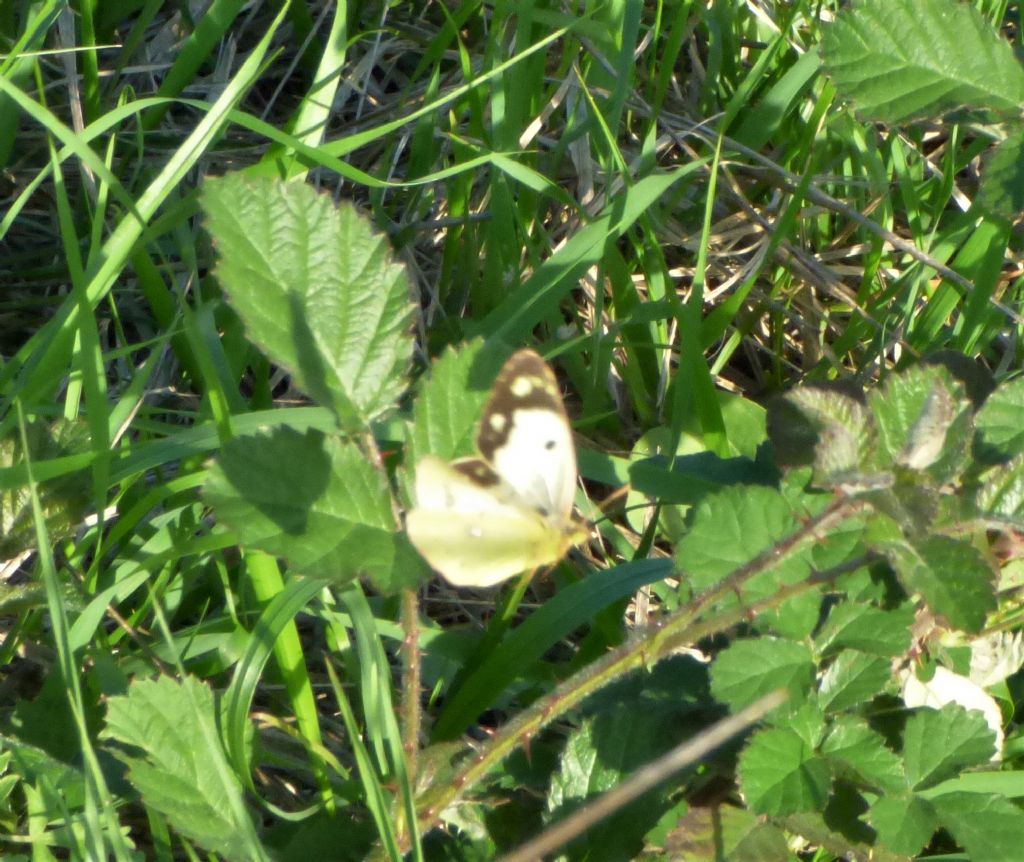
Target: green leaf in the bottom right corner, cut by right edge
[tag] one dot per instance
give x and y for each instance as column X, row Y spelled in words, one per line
column 989, row 828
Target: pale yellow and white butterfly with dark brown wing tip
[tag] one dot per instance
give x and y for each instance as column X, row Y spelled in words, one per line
column 482, row 521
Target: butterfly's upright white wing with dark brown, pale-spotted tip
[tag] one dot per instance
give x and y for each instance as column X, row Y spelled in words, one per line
column 526, row 437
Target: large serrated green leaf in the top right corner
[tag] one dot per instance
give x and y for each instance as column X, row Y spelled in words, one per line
column 900, row 60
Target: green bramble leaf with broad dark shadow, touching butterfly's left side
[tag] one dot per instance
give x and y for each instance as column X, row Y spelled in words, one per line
column 314, row 500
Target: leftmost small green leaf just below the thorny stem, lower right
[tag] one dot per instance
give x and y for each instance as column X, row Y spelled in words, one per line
column 752, row 669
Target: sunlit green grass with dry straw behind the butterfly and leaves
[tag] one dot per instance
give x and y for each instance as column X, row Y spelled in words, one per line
column 669, row 200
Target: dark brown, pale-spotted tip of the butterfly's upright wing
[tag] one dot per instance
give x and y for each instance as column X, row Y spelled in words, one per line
column 525, row 382
